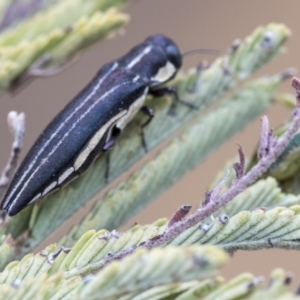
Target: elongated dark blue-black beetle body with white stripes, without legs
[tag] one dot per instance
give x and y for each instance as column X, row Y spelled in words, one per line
column 91, row 122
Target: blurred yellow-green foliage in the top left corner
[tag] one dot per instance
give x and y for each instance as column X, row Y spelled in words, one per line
column 59, row 32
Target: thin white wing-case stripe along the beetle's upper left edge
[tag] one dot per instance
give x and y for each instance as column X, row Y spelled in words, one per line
column 115, row 65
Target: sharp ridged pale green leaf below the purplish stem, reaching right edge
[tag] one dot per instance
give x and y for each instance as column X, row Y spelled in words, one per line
column 260, row 229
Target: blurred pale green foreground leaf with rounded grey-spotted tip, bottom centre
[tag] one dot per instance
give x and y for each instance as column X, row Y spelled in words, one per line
column 145, row 269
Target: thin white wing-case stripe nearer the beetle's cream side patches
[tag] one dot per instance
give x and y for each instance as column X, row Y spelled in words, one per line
column 62, row 140
